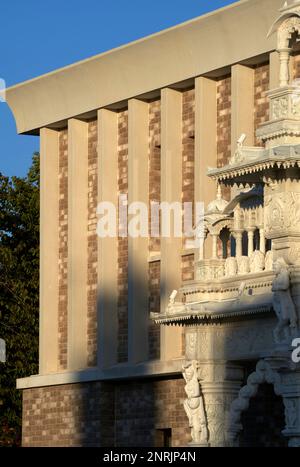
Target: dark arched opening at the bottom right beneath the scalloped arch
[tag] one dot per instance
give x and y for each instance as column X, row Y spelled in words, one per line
column 264, row 420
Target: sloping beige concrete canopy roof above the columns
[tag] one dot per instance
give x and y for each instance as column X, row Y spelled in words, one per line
column 198, row 47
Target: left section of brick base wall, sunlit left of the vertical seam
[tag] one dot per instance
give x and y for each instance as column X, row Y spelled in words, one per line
column 65, row 416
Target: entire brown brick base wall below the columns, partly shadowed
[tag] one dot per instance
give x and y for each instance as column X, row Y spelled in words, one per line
column 104, row 414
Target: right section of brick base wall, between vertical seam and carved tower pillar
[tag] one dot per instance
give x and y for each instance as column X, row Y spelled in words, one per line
column 156, row 405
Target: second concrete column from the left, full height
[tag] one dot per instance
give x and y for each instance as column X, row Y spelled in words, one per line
column 77, row 248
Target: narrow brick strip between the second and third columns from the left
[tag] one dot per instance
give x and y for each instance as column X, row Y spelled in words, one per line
column 92, row 244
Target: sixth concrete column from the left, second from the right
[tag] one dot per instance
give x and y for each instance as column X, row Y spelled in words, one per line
column 205, row 138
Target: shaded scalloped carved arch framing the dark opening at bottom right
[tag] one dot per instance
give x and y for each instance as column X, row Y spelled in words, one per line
column 263, row 374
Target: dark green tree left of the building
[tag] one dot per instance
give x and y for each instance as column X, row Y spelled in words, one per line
column 19, row 293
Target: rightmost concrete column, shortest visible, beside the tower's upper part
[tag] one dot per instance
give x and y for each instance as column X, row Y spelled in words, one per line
column 242, row 105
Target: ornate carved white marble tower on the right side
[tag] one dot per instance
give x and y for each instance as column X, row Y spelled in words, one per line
column 244, row 304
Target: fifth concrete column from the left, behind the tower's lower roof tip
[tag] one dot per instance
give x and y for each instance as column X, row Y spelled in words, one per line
column 171, row 191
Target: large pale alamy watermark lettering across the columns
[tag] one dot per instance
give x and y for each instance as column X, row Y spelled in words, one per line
column 159, row 220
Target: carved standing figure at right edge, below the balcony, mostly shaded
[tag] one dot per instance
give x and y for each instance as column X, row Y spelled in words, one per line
column 282, row 302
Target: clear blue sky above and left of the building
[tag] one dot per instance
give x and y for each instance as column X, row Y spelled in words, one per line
column 38, row 36
